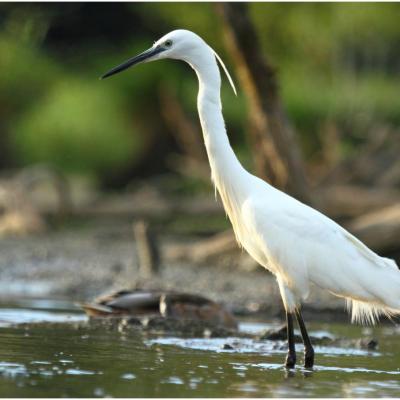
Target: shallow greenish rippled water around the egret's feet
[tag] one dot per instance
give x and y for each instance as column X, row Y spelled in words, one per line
column 54, row 360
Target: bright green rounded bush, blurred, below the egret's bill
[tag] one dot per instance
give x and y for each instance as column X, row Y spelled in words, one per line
column 78, row 126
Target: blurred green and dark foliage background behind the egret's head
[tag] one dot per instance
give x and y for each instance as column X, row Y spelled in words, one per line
column 338, row 66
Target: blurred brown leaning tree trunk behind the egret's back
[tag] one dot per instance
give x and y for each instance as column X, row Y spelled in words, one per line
column 276, row 153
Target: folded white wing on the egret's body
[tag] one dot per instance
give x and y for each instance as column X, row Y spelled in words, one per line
column 304, row 245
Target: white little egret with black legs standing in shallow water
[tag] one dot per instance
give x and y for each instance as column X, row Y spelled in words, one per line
column 298, row 244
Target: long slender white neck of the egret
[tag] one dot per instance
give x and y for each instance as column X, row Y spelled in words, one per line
column 227, row 173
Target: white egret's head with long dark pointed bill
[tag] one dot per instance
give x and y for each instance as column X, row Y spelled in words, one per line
column 179, row 44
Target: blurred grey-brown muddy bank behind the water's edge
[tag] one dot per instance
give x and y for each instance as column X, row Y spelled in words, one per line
column 80, row 264
